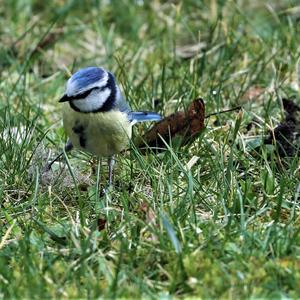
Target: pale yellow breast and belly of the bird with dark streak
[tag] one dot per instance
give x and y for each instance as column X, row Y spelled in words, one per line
column 102, row 134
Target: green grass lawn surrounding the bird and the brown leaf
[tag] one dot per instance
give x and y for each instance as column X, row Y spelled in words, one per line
column 226, row 227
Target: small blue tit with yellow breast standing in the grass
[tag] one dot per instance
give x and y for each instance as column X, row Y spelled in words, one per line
column 96, row 117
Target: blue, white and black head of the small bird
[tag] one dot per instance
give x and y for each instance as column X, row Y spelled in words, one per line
column 91, row 89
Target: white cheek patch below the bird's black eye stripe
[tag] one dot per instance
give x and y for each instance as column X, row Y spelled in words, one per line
column 93, row 102
